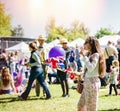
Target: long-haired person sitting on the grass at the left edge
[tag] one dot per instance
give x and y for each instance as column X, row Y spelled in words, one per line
column 6, row 82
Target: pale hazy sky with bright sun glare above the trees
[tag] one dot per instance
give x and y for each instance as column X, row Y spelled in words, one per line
column 33, row 15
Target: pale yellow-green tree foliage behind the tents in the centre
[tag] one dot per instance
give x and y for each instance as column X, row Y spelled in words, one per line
column 75, row 31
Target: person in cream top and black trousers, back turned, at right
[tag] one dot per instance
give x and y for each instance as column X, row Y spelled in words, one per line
column 110, row 53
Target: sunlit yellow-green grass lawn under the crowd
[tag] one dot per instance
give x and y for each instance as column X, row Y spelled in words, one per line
column 57, row 103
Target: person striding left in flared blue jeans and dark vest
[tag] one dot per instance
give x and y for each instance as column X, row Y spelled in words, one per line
column 36, row 72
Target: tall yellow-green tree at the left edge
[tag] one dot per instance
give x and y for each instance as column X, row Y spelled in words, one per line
column 5, row 25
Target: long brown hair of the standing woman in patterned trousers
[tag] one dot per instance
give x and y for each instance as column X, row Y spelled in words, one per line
column 95, row 48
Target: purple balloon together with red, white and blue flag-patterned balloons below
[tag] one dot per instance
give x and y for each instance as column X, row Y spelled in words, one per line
column 56, row 60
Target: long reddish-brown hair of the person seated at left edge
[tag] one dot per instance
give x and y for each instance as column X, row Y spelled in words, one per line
column 6, row 77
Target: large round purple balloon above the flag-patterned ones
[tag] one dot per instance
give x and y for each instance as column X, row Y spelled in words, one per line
column 57, row 51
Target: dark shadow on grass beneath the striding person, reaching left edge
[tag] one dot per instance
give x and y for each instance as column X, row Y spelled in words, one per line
column 16, row 99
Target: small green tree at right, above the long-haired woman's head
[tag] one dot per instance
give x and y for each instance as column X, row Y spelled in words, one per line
column 104, row 31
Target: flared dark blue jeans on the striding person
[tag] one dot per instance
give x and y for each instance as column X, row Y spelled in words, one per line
column 36, row 73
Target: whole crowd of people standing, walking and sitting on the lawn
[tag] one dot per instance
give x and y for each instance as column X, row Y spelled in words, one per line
column 101, row 67
